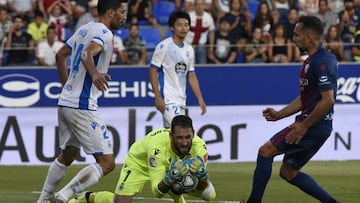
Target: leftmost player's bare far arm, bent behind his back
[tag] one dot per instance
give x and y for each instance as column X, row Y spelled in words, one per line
column 61, row 63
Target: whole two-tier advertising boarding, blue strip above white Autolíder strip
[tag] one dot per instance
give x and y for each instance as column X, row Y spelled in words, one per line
column 233, row 126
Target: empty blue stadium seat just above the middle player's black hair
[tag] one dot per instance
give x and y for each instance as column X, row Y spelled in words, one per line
column 162, row 10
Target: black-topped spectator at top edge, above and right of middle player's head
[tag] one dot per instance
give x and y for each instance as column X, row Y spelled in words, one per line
column 240, row 22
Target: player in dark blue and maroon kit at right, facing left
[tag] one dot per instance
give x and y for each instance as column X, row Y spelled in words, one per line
column 302, row 139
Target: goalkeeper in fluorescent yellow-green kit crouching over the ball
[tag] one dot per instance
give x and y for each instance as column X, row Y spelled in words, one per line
column 162, row 157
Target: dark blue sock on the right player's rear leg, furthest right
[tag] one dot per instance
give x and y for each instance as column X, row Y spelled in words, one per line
column 309, row 186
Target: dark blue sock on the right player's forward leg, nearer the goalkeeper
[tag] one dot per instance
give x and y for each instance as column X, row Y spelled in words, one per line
column 261, row 177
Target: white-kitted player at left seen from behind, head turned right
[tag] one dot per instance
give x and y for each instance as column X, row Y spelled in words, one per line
column 79, row 123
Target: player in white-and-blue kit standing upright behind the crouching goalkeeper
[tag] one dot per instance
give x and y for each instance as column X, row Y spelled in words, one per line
column 171, row 66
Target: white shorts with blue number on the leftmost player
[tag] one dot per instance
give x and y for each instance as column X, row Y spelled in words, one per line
column 83, row 128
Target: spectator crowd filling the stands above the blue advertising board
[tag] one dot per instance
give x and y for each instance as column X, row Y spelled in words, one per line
column 221, row 32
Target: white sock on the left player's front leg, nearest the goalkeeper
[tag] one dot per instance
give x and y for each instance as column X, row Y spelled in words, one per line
column 87, row 177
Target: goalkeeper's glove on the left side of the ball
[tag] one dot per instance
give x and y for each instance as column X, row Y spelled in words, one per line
column 178, row 169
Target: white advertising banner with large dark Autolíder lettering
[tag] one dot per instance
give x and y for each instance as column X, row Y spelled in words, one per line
column 232, row 133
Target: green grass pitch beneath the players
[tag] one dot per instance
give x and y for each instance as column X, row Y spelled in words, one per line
column 20, row 184
